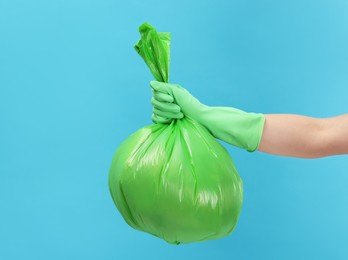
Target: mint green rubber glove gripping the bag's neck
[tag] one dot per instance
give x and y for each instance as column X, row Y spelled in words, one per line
column 234, row 126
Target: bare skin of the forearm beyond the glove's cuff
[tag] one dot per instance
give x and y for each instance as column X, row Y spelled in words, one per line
column 305, row 137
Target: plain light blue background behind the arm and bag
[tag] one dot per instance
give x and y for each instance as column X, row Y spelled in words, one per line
column 72, row 89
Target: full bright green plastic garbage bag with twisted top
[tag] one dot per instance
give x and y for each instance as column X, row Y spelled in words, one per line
column 174, row 181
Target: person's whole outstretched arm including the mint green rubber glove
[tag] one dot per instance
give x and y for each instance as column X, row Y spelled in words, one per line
column 281, row 134
